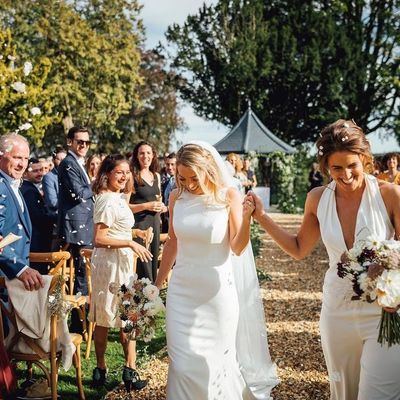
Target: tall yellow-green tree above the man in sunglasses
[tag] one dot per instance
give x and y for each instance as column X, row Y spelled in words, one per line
column 93, row 46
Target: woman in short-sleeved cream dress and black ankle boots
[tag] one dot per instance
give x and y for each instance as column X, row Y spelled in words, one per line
column 112, row 261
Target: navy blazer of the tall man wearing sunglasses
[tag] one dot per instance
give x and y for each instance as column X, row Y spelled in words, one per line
column 75, row 203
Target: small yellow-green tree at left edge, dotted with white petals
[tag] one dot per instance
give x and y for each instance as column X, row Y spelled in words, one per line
column 25, row 105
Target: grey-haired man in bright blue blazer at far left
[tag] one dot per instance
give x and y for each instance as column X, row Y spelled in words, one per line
column 14, row 216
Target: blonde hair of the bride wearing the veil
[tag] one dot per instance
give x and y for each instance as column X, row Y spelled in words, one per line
column 204, row 166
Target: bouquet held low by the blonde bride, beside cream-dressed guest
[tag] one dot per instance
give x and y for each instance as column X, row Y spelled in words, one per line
column 138, row 304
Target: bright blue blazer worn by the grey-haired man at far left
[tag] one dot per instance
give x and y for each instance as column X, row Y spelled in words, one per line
column 15, row 256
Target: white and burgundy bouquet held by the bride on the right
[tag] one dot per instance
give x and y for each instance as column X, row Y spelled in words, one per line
column 374, row 269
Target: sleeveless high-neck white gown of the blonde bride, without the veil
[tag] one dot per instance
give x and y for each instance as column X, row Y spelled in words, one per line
column 202, row 306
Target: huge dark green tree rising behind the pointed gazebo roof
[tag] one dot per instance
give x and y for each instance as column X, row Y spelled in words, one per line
column 303, row 64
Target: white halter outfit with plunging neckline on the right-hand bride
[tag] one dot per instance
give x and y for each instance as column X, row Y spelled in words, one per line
column 358, row 366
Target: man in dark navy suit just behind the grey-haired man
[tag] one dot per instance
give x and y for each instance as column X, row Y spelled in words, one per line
column 43, row 220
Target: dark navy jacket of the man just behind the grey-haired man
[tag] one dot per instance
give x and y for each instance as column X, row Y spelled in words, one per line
column 42, row 220
